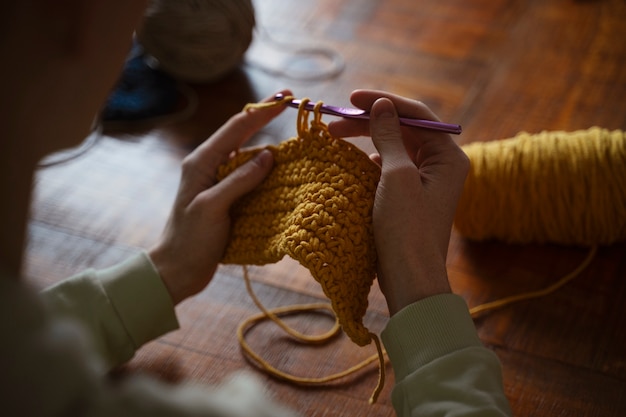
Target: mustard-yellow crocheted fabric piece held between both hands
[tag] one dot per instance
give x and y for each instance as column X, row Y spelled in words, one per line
column 316, row 207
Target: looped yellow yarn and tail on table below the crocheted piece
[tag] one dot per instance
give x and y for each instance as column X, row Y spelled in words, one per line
column 273, row 315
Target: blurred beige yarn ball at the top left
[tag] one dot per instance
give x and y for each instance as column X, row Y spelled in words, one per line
column 197, row 40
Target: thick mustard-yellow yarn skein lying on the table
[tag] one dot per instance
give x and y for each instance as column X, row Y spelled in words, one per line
column 557, row 187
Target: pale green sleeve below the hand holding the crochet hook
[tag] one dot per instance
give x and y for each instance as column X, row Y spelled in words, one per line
column 440, row 365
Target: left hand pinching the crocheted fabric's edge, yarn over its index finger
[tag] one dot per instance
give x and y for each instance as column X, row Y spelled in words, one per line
column 198, row 229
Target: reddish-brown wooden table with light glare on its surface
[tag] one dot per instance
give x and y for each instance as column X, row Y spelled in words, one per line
column 497, row 67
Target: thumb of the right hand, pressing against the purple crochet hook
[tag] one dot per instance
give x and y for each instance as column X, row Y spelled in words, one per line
column 386, row 134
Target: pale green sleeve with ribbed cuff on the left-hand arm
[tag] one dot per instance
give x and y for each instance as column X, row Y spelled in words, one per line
column 121, row 307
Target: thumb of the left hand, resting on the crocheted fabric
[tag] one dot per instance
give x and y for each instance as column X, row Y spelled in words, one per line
column 242, row 180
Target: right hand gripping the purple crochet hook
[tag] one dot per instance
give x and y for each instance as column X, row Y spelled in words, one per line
column 423, row 173
